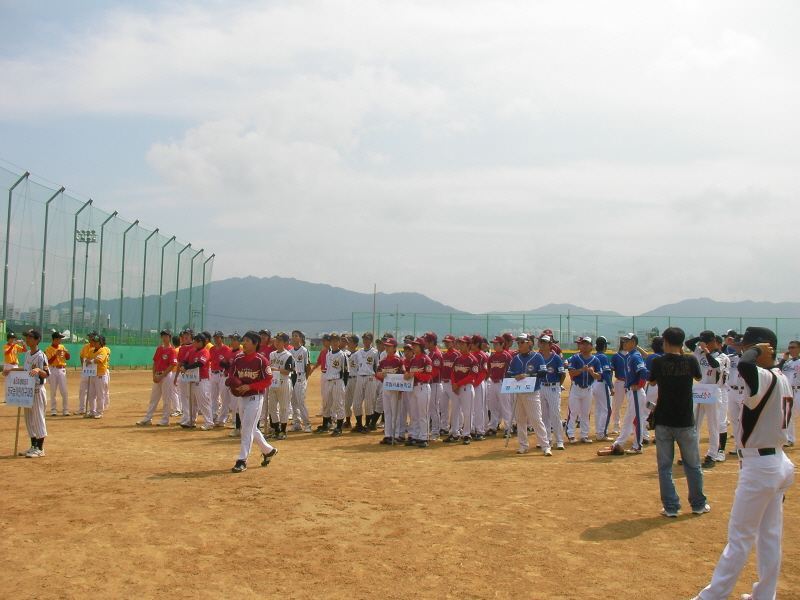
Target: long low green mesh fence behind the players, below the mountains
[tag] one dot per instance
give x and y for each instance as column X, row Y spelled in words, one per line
column 566, row 328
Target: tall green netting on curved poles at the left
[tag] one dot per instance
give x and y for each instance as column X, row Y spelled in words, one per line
column 71, row 266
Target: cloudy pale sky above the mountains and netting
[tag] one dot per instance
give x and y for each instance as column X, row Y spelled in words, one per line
column 492, row 155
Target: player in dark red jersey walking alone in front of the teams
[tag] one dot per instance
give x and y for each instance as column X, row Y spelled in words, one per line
column 250, row 376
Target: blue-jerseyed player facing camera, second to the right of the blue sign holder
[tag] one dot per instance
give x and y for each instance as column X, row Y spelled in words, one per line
column 585, row 370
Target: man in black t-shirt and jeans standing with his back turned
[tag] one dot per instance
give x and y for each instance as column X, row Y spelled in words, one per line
column 674, row 373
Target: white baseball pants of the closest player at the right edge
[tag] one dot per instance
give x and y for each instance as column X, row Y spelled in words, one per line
column 756, row 517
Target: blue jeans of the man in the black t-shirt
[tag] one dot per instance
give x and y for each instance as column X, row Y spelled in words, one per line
column 689, row 444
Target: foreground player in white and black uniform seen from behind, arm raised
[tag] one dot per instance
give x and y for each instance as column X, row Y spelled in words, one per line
column 765, row 473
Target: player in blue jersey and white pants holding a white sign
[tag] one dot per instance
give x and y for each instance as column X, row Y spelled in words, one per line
column 528, row 363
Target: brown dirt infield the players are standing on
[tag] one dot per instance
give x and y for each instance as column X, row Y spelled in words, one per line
column 119, row 511
